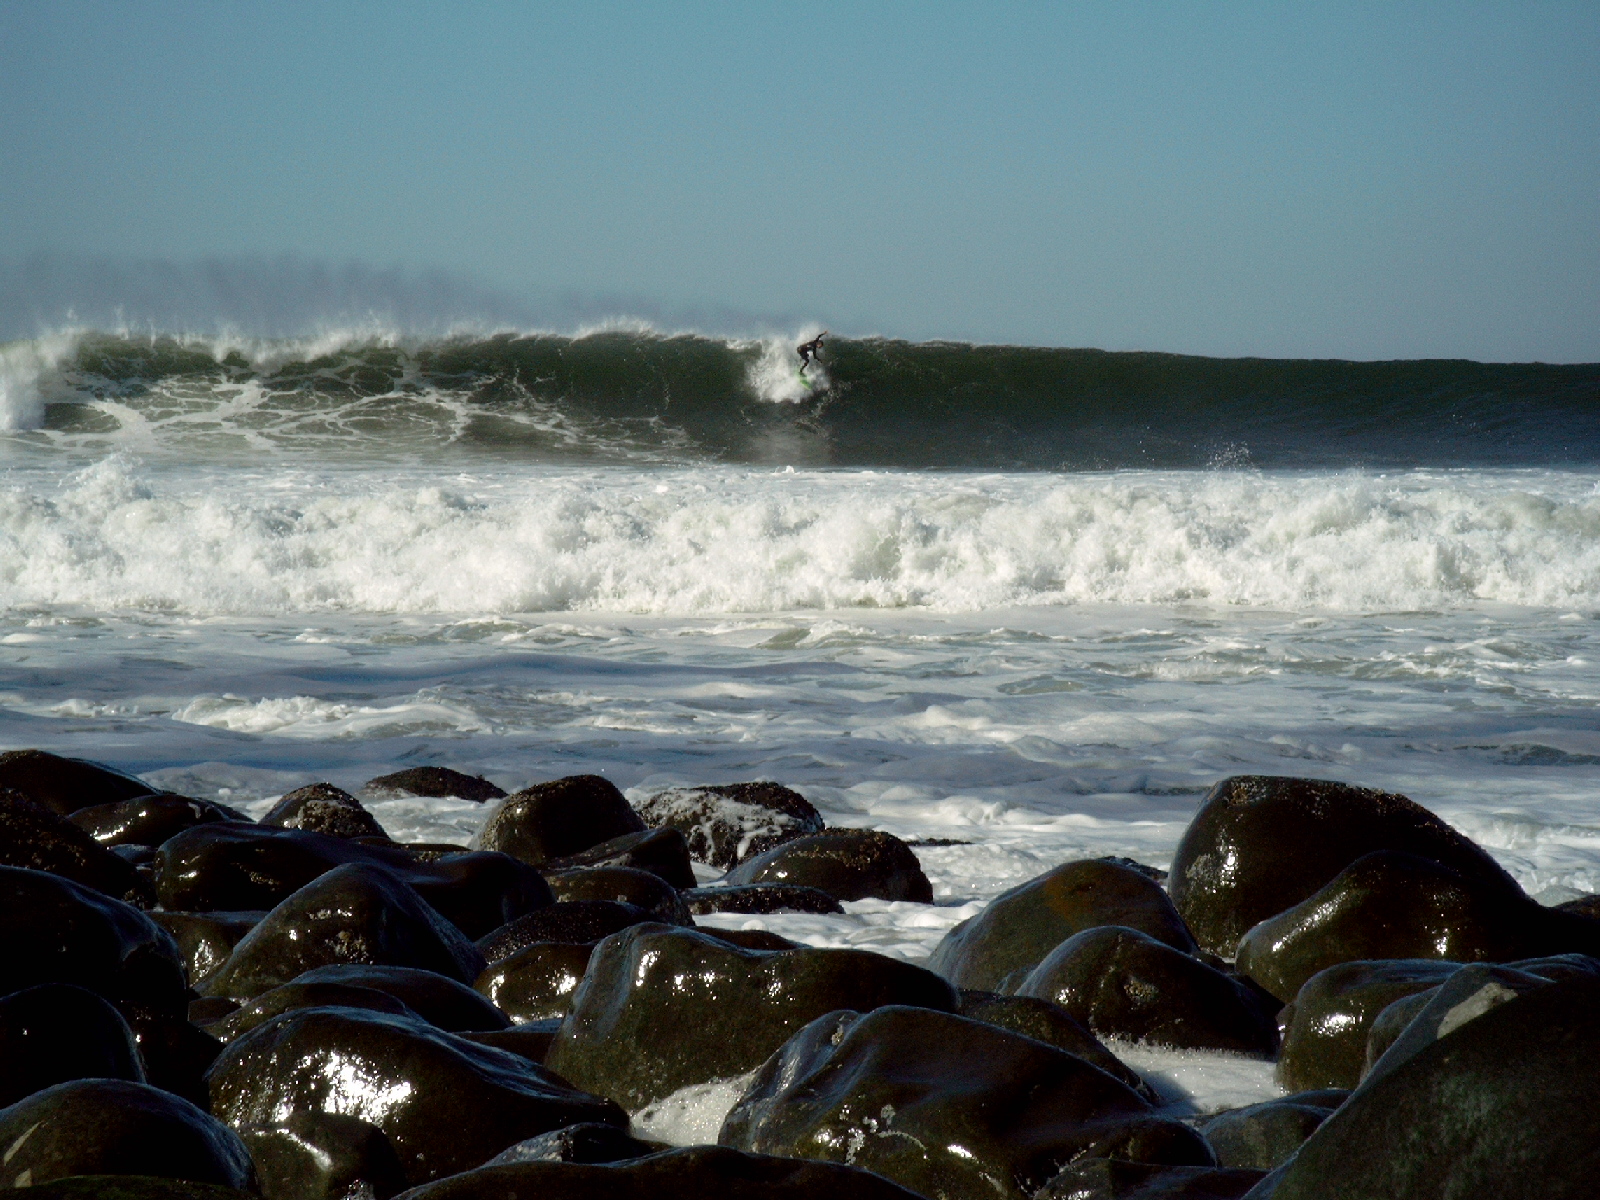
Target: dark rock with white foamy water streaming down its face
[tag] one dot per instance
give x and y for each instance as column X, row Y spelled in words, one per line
column 732, row 823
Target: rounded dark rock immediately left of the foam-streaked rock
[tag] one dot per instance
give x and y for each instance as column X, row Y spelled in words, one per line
column 561, row 818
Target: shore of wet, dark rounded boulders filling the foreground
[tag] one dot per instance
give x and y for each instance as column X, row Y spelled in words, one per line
column 198, row 1006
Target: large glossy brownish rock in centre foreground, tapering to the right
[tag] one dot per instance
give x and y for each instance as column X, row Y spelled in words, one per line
column 663, row 1007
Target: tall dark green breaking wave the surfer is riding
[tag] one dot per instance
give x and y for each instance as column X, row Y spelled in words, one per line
column 642, row 396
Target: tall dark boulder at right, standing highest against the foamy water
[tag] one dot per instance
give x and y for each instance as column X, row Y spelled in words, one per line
column 1263, row 844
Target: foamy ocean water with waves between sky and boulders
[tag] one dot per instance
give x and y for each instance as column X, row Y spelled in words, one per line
column 1018, row 606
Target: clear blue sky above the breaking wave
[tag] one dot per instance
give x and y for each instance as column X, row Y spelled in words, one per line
column 1367, row 182
